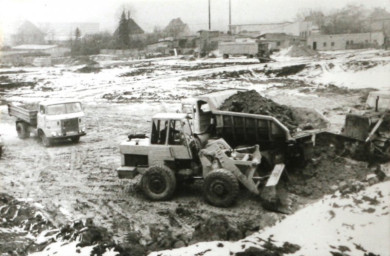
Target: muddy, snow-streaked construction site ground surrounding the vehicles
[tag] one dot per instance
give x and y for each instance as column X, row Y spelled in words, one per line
column 71, row 182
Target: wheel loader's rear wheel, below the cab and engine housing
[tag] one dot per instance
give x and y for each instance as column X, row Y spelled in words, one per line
column 158, row 183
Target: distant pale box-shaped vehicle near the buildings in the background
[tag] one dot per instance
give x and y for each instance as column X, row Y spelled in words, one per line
column 249, row 49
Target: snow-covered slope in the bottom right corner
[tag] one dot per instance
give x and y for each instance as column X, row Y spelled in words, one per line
column 340, row 224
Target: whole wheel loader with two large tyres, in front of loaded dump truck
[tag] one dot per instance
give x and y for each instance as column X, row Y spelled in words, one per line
column 171, row 155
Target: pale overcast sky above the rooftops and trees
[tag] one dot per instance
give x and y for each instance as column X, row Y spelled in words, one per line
column 151, row 13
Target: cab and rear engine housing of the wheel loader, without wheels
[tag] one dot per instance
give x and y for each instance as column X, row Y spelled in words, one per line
column 168, row 143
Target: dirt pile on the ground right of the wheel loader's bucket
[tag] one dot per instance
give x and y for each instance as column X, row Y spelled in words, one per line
column 327, row 172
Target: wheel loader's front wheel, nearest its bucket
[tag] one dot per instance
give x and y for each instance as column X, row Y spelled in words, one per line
column 221, row 188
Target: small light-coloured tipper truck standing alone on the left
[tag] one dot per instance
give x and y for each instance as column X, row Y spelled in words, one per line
column 49, row 120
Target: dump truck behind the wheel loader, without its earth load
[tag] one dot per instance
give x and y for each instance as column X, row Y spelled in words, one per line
column 277, row 142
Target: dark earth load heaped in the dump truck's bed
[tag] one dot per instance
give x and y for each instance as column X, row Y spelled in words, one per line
column 293, row 118
